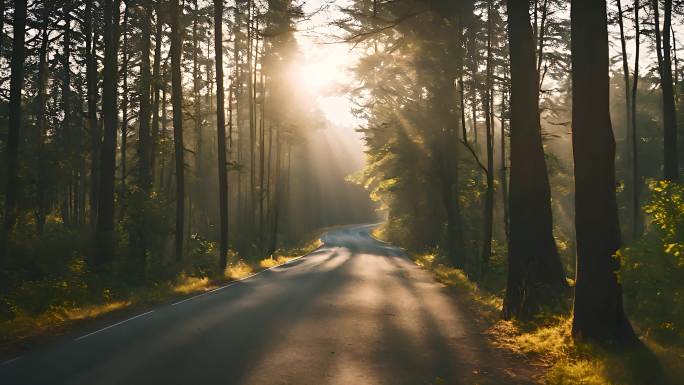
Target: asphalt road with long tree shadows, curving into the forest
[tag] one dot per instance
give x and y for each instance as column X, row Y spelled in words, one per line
column 355, row 311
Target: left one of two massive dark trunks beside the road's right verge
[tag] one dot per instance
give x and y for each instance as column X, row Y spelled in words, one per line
column 535, row 272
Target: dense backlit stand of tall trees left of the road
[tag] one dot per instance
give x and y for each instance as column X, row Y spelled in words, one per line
column 133, row 132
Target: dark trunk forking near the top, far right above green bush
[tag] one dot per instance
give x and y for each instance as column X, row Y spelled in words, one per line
column 671, row 159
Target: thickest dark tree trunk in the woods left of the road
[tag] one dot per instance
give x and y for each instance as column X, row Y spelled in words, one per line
column 104, row 237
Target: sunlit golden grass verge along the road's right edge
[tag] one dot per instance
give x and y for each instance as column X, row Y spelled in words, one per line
column 547, row 344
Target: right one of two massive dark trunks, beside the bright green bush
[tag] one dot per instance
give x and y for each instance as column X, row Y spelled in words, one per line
column 598, row 310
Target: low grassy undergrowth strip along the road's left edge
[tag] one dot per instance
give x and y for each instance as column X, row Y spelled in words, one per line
column 27, row 323
